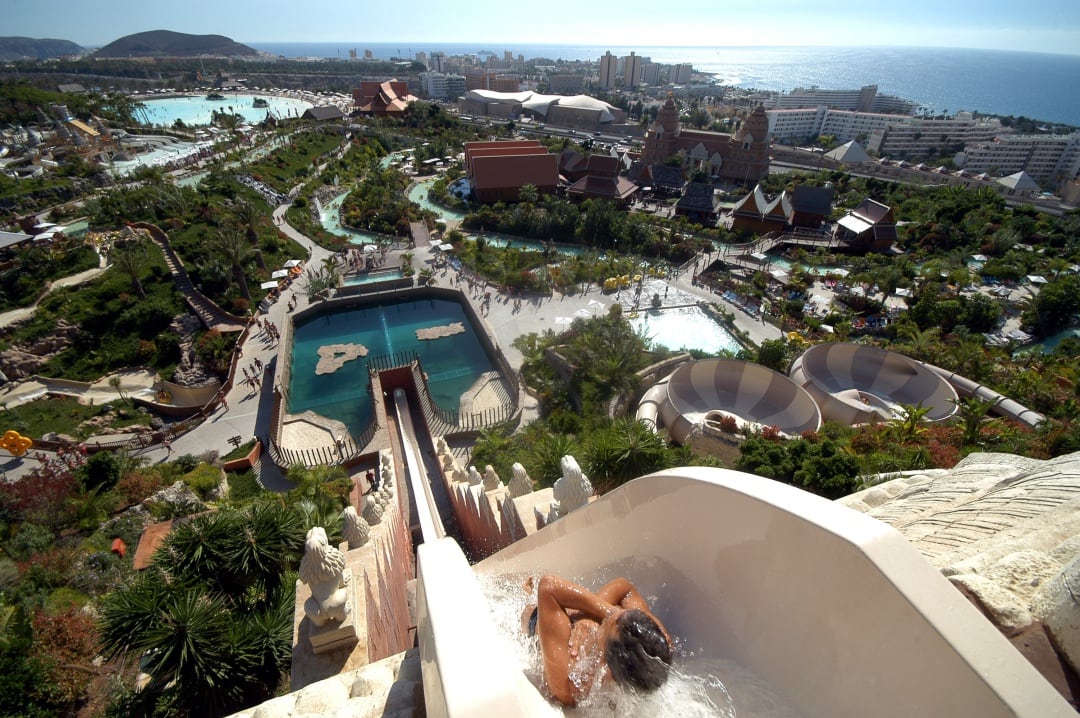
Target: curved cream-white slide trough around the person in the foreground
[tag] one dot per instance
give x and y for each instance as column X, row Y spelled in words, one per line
column 838, row 612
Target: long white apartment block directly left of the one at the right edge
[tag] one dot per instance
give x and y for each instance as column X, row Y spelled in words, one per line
column 906, row 138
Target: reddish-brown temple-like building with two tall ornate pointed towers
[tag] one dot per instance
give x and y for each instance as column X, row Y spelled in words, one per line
column 742, row 158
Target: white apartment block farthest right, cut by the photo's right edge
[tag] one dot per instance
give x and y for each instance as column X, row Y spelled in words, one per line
column 1050, row 159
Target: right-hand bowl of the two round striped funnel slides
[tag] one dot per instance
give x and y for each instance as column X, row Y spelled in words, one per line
column 854, row 384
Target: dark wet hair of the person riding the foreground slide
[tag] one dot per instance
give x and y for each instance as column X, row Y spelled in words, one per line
column 639, row 655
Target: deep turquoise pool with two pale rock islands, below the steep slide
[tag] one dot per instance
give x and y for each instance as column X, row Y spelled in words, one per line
column 453, row 363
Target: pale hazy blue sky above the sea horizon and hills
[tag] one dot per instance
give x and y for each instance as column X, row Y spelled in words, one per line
column 1049, row 26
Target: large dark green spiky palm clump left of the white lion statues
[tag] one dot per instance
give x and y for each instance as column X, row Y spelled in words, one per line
column 212, row 618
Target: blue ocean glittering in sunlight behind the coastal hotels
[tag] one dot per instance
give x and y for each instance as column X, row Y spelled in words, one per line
column 1037, row 86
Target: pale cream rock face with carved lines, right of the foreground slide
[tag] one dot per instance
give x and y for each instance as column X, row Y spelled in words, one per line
column 1005, row 530
